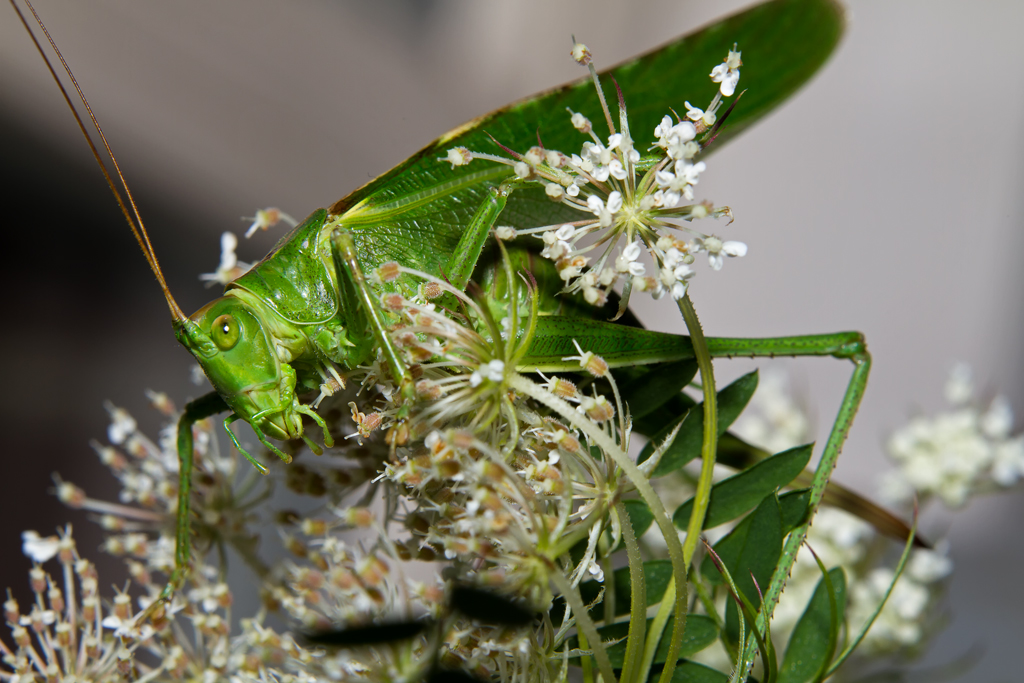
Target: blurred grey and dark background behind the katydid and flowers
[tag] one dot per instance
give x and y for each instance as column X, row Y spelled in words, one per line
column 883, row 198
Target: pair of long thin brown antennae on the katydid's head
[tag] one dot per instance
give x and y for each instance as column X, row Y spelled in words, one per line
column 138, row 230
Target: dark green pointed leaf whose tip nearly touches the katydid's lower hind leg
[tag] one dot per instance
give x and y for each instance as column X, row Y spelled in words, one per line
column 741, row 493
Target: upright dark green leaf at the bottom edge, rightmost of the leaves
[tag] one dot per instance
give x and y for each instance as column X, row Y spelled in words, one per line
column 808, row 651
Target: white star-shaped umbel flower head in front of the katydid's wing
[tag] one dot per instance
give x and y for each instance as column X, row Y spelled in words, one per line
column 645, row 203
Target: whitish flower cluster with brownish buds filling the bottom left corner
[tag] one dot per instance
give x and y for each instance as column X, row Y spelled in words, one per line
column 71, row 633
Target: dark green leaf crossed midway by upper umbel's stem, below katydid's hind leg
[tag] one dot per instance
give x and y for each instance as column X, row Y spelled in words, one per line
column 732, row 402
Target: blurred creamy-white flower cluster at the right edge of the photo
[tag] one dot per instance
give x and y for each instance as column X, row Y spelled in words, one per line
column 958, row 454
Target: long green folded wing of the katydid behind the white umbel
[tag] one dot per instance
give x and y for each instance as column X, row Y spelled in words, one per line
column 416, row 212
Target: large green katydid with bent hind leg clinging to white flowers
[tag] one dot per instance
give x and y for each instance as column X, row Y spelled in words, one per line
column 311, row 306
